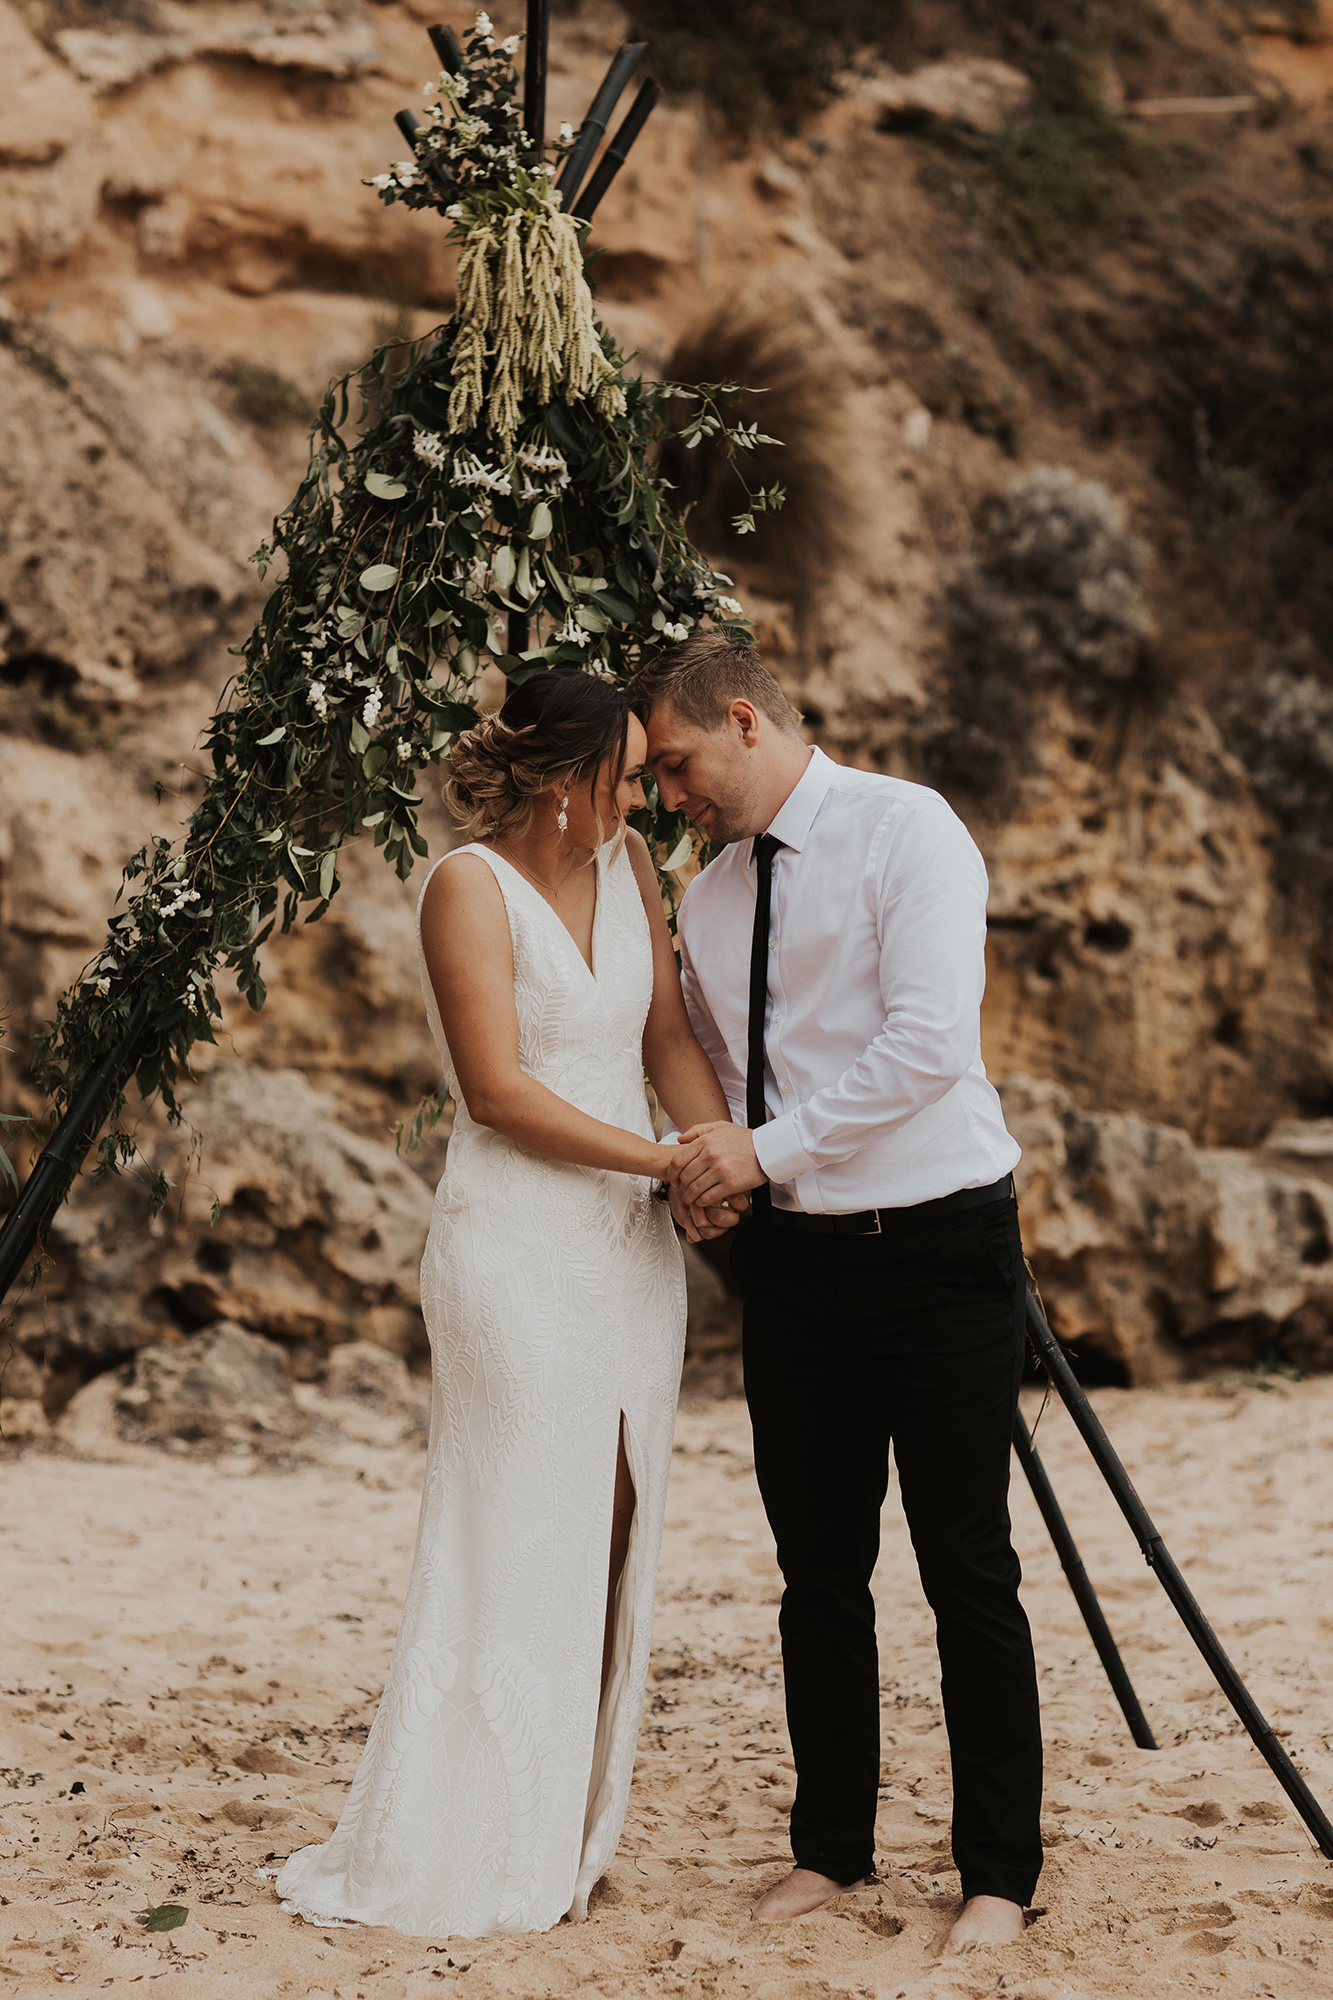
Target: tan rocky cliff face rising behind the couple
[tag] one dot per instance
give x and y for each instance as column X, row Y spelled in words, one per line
column 187, row 255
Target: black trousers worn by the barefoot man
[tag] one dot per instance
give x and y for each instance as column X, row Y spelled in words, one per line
column 852, row 1343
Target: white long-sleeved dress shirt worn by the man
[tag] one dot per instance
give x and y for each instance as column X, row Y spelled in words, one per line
column 874, row 1077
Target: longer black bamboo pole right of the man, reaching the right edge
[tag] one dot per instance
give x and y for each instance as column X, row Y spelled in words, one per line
column 1168, row 1575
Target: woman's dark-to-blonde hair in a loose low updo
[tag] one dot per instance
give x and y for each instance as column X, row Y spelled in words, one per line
column 557, row 729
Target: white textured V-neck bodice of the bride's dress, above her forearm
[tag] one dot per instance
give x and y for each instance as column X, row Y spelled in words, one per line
column 579, row 1027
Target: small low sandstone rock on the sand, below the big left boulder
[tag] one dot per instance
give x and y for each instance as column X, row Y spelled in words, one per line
column 223, row 1385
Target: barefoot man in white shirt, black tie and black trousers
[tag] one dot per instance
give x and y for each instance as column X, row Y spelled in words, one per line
column 834, row 965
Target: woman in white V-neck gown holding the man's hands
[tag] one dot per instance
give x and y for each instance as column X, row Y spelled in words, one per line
column 493, row 1785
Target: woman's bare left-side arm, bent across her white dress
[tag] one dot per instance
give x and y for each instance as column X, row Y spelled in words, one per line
column 471, row 965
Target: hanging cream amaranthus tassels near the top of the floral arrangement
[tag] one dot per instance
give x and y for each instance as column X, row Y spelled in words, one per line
column 525, row 303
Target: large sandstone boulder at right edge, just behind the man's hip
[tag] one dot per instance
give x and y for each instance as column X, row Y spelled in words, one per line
column 1168, row 1257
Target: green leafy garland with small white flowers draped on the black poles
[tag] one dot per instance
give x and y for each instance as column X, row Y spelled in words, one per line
column 401, row 561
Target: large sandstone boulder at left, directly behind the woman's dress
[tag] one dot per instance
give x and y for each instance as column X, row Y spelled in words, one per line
column 319, row 1237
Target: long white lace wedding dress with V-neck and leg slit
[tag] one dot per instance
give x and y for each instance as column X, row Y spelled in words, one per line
column 493, row 1789
